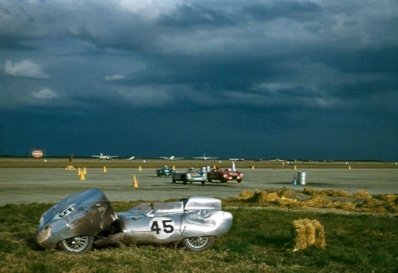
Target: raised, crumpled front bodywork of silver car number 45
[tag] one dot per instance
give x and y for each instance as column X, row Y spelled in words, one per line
column 83, row 213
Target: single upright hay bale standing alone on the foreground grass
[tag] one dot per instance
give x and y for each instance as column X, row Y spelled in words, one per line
column 308, row 233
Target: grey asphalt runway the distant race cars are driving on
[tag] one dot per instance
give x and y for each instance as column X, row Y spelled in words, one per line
column 43, row 185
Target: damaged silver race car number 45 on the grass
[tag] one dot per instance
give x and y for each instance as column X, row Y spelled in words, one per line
column 86, row 218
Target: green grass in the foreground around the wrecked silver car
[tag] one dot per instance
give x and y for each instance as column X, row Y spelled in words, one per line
column 261, row 240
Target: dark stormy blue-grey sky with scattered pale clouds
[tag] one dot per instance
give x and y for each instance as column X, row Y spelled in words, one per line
column 252, row 79
